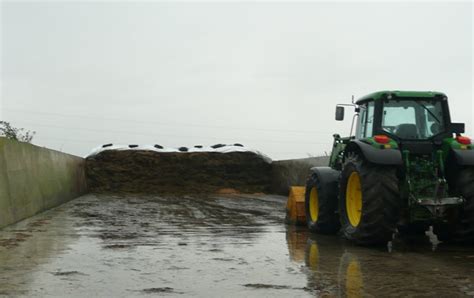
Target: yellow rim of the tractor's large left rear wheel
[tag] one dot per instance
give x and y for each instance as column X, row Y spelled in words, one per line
column 354, row 199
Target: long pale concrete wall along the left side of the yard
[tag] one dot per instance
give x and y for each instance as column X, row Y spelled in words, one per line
column 33, row 179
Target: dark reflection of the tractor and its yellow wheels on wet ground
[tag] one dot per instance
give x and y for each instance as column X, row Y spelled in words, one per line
column 335, row 267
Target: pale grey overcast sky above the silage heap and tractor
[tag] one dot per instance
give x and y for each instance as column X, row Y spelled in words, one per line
column 267, row 75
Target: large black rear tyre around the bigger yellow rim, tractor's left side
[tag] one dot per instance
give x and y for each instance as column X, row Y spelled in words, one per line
column 380, row 209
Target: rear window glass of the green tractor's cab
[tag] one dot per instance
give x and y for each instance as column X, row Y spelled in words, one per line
column 413, row 119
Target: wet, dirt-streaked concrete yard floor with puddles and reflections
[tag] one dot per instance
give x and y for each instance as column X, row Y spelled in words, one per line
column 213, row 246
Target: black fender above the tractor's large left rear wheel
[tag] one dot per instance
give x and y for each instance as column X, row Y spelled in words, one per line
column 374, row 155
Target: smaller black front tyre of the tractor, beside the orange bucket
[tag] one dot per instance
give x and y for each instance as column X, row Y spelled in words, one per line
column 327, row 221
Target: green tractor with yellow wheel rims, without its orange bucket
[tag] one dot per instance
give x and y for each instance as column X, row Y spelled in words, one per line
column 407, row 167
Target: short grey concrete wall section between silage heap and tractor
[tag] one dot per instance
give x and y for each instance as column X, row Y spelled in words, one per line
column 293, row 172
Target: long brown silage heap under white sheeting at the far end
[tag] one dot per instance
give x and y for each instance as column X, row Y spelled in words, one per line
column 139, row 170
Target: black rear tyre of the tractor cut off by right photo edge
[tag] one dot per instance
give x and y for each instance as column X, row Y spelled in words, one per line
column 464, row 230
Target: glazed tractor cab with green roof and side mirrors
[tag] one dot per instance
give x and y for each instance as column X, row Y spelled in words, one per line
column 406, row 117
